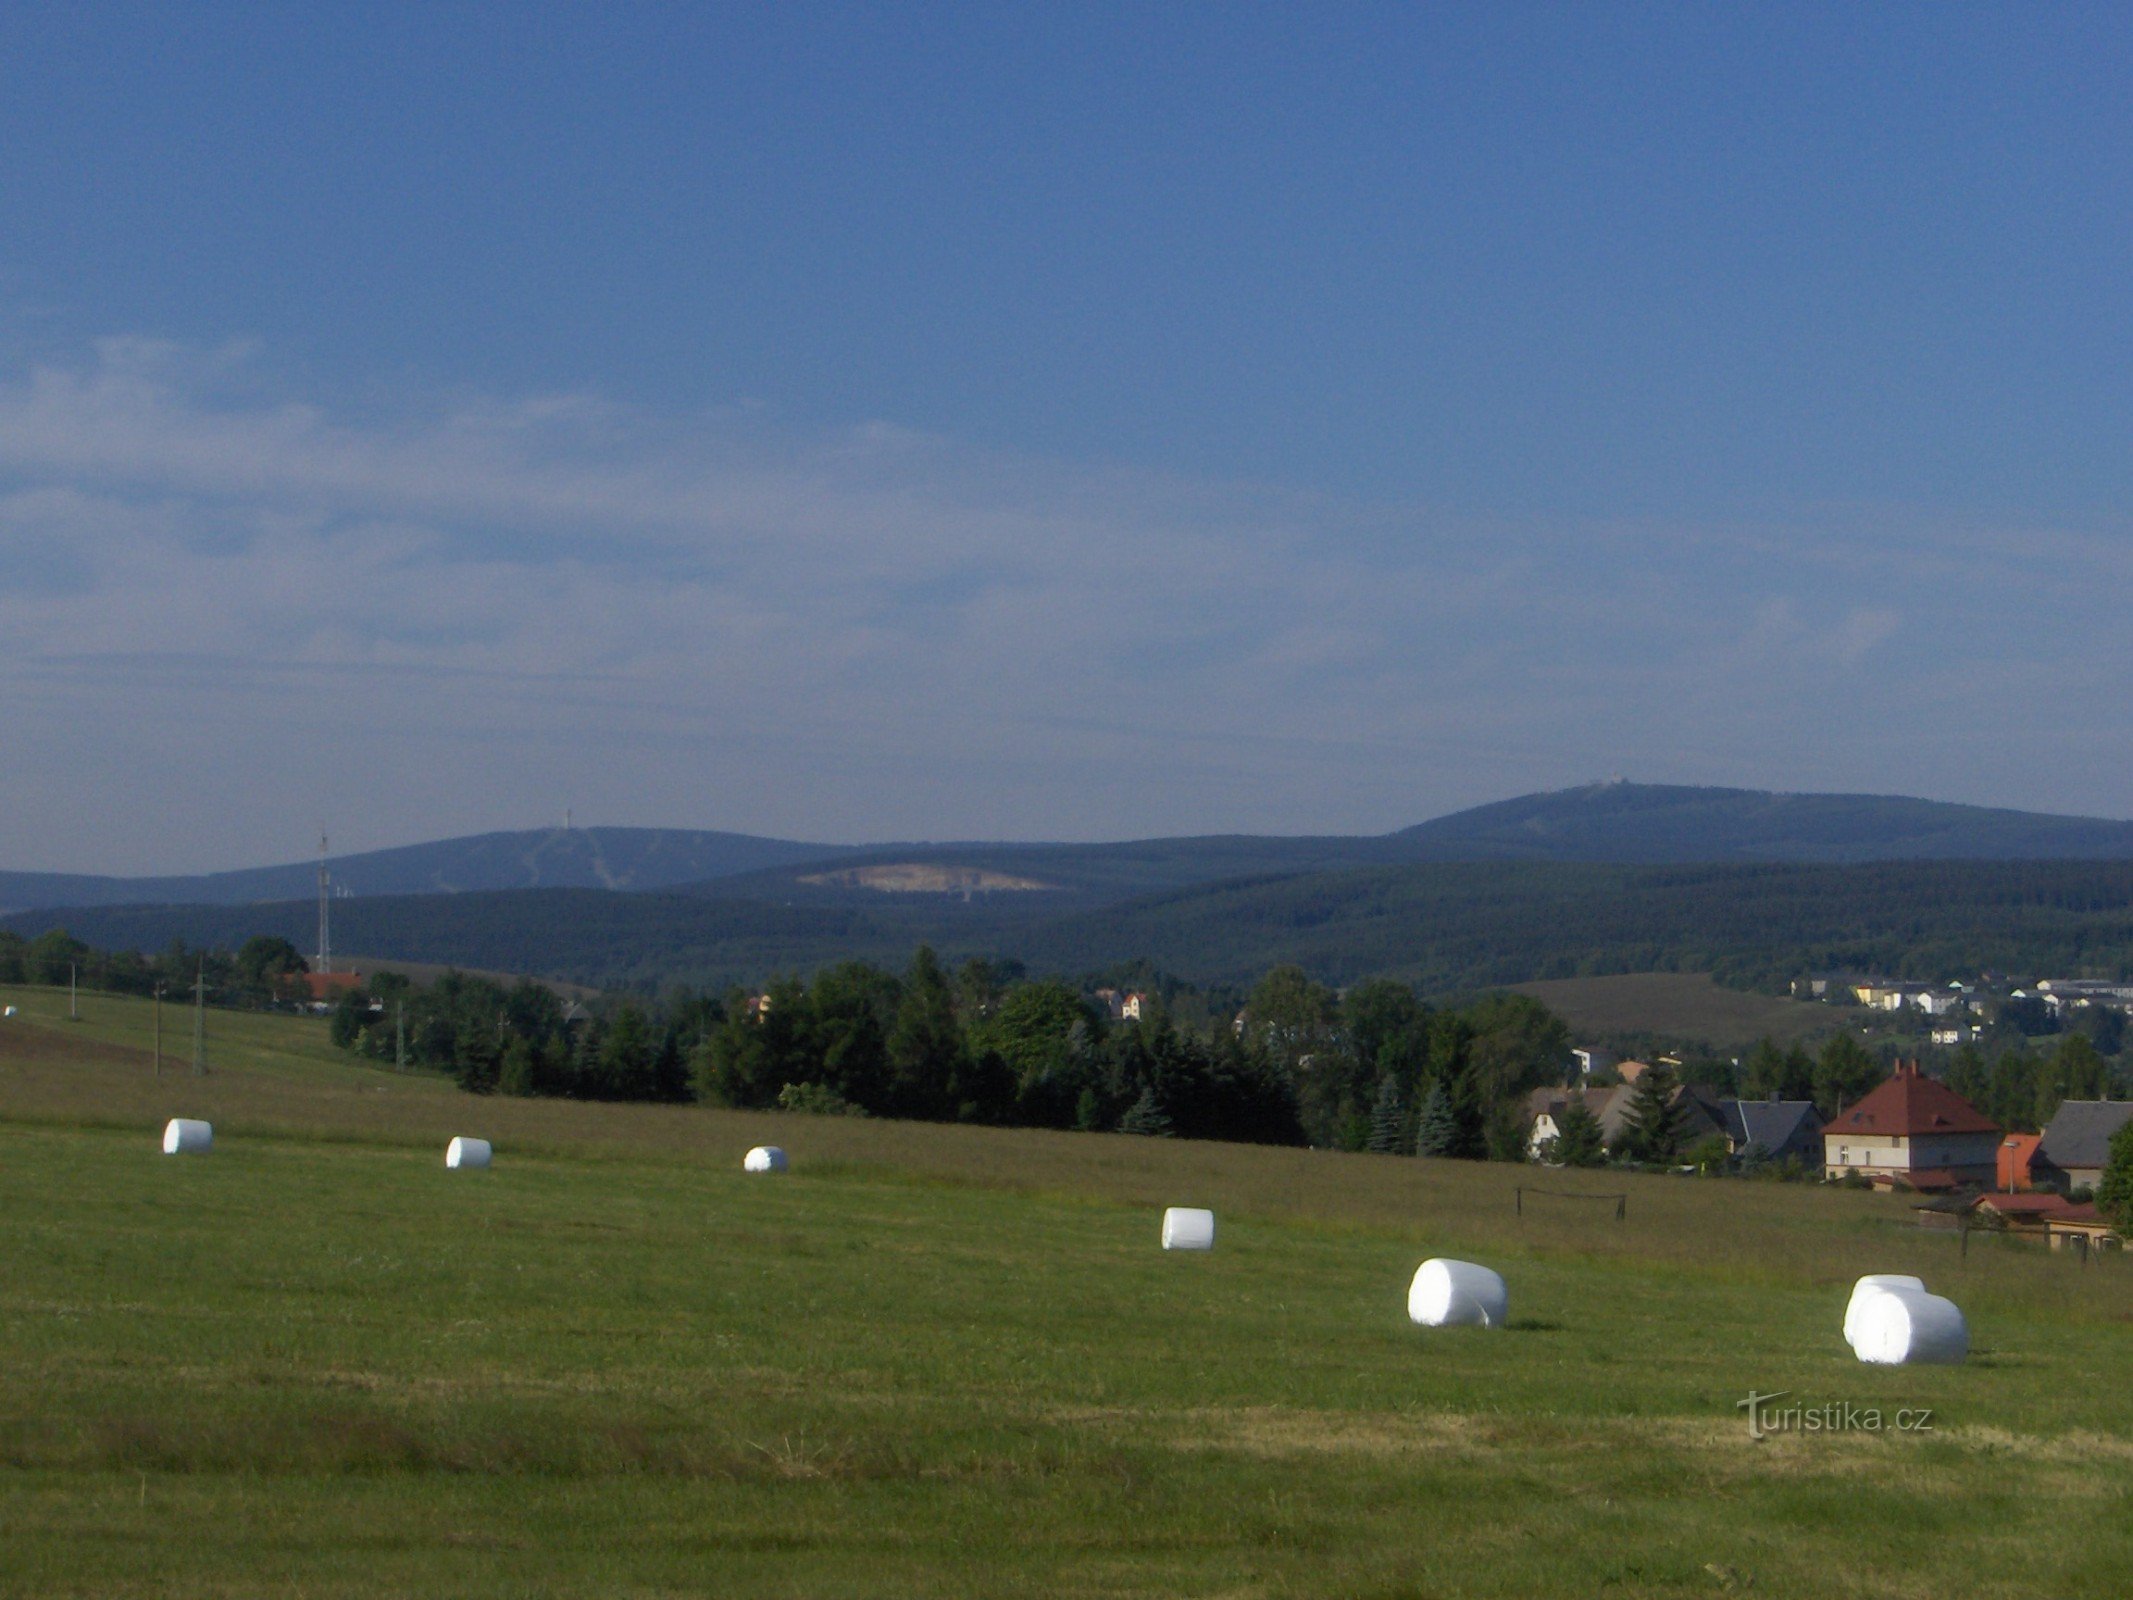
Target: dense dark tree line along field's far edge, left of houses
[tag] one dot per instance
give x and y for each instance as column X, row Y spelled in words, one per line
column 1296, row 1063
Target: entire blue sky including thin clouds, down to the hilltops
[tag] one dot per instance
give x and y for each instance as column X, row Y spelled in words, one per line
column 1087, row 423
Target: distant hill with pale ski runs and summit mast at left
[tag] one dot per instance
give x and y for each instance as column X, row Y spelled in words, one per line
column 566, row 859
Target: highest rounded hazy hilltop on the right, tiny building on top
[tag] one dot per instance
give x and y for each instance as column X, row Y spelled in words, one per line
column 1652, row 822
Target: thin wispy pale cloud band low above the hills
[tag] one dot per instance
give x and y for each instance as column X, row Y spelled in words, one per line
column 231, row 613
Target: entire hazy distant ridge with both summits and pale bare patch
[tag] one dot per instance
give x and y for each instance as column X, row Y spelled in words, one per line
column 1605, row 822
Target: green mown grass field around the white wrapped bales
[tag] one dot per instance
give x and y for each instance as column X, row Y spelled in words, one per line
column 952, row 1362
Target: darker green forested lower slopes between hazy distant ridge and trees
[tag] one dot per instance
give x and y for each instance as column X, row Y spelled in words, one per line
column 1441, row 927
